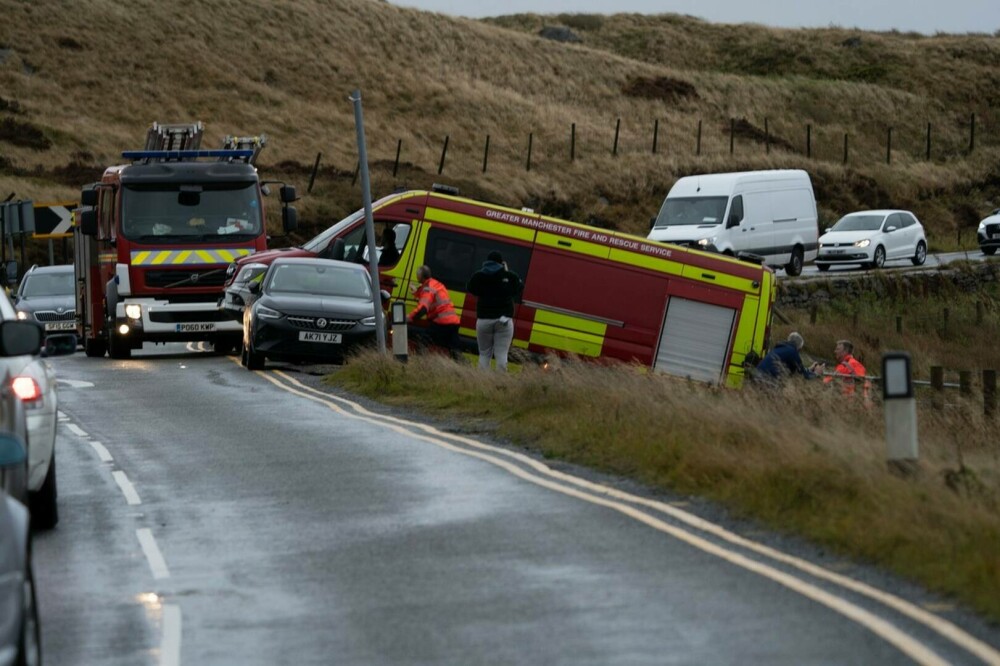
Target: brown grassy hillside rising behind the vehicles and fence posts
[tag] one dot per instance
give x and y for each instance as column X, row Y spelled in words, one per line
column 81, row 81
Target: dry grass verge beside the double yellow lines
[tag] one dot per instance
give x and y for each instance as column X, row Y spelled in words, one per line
column 800, row 460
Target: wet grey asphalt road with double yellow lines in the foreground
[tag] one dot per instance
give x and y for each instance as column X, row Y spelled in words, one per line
column 212, row 515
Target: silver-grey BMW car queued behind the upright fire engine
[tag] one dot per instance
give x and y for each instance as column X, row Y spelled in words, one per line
column 47, row 295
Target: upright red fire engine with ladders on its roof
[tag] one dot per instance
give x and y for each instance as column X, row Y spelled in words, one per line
column 154, row 238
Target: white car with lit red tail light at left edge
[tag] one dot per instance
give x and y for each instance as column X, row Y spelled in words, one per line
column 32, row 379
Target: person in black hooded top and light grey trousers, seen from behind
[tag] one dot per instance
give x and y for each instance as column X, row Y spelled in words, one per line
column 496, row 289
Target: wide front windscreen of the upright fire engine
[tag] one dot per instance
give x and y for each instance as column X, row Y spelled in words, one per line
column 191, row 213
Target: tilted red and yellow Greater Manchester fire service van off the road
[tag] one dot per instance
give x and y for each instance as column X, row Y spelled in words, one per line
column 589, row 292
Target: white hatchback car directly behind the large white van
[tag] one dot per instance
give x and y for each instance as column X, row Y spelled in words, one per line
column 871, row 238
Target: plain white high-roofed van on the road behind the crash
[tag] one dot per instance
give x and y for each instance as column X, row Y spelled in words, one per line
column 771, row 214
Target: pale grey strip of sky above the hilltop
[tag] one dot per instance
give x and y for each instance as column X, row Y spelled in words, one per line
column 924, row 16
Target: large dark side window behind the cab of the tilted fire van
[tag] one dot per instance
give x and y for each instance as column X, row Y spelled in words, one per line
column 454, row 257
